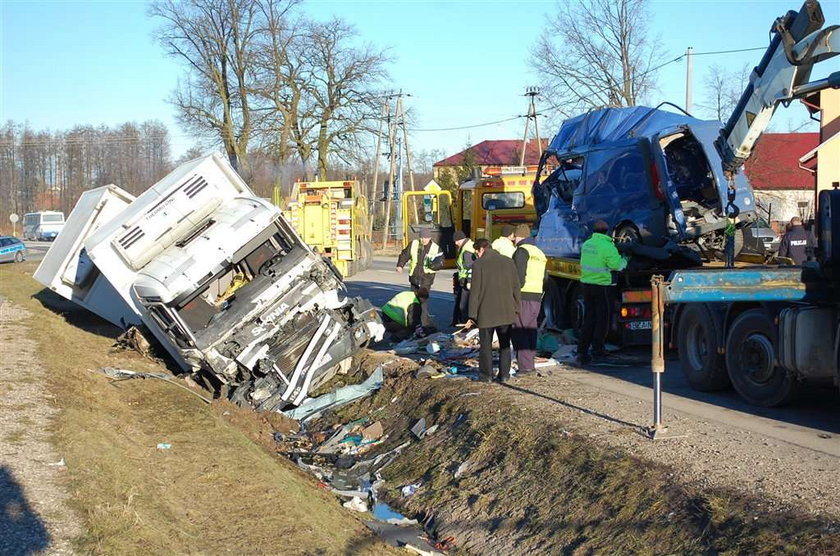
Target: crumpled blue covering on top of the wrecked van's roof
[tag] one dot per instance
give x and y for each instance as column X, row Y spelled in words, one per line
column 610, row 125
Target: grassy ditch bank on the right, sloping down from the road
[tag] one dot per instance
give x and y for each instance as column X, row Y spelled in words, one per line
column 528, row 484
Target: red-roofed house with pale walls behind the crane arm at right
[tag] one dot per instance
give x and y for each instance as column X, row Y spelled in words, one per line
column 780, row 183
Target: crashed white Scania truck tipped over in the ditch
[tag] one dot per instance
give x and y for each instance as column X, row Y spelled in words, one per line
column 219, row 277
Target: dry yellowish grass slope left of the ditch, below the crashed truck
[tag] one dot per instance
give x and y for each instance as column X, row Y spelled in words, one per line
column 215, row 490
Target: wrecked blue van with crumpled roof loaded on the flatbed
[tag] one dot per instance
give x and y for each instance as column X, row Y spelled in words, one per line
column 654, row 176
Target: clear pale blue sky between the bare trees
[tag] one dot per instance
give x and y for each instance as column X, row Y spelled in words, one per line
column 463, row 62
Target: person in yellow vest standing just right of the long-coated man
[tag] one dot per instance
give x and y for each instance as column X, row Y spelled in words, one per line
column 530, row 264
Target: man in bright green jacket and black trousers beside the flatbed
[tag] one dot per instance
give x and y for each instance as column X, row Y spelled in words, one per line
column 598, row 259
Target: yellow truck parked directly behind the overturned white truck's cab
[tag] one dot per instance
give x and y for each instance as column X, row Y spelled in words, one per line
column 333, row 219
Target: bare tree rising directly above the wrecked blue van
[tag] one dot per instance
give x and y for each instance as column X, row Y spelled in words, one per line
column 596, row 53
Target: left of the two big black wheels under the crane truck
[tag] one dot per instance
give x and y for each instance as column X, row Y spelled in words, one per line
column 697, row 342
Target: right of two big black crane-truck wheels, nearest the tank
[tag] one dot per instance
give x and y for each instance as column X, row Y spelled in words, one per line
column 751, row 359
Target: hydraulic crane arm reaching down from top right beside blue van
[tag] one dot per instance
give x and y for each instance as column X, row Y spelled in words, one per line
column 798, row 43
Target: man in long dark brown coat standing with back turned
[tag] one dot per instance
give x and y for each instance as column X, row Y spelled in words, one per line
column 494, row 304
